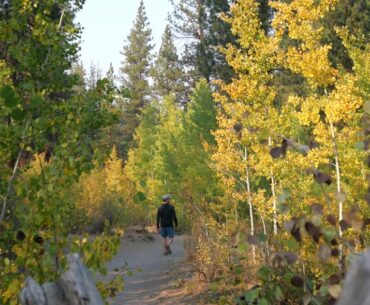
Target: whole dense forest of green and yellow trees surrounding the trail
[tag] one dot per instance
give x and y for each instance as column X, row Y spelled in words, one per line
column 259, row 130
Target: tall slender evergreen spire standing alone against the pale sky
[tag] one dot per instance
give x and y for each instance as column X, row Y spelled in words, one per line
column 135, row 73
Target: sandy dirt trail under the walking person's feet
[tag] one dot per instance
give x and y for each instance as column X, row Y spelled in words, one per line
column 160, row 278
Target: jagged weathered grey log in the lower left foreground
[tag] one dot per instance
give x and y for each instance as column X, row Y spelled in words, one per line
column 75, row 287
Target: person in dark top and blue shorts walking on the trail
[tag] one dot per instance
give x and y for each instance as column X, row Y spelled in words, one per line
column 166, row 218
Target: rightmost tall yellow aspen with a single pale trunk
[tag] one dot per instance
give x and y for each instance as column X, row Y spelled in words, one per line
column 331, row 108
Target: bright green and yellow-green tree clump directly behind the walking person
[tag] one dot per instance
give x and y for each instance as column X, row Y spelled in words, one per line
column 173, row 153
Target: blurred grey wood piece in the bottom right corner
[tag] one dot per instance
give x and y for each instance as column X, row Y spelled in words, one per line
column 357, row 282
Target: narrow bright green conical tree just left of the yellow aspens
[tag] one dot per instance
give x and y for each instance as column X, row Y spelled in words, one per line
column 198, row 177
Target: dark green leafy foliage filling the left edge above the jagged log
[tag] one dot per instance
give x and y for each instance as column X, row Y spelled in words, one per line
column 50, row 133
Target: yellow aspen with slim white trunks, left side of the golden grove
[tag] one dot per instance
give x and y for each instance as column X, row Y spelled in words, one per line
column 248, row 117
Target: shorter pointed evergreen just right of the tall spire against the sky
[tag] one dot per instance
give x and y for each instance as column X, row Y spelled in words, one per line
column 167, row 73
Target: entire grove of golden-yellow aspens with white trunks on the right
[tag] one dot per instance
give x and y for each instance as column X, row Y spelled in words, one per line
column 293, row 158
